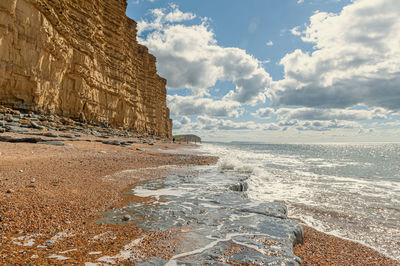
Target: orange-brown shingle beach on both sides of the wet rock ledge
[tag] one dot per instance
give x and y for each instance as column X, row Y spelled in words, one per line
column 50, row 198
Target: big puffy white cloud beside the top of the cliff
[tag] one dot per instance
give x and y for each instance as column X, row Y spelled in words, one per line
column 189, row 57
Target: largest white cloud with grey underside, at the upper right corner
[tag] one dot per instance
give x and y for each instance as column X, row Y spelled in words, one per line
column 356, row 59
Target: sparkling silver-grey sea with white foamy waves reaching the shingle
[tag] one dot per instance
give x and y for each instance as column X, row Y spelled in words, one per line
column 347, row 190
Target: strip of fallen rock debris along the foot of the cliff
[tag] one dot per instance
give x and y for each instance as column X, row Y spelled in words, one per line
column 41, row 129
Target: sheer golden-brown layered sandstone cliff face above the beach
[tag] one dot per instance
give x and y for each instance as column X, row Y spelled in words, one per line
column 80, row 59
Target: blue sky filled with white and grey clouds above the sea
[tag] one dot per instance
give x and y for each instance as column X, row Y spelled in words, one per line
column 277, row 71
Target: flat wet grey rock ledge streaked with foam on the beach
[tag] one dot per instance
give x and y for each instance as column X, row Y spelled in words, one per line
column 218, row 225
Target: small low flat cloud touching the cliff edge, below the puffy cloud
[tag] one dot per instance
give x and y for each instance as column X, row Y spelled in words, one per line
column 193, row 105
